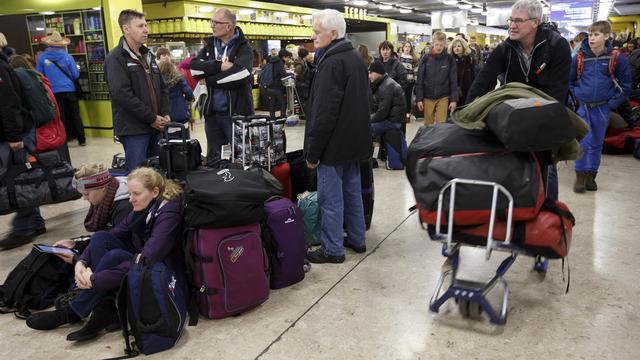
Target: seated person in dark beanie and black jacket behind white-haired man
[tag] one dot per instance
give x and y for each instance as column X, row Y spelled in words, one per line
column 388, row 101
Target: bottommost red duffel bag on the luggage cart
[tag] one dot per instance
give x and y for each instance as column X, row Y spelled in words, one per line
column 549, row 234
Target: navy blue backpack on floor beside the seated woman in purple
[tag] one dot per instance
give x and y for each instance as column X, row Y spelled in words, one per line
column 153, row 308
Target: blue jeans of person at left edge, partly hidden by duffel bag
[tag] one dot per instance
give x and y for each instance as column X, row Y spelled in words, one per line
column 26, row 221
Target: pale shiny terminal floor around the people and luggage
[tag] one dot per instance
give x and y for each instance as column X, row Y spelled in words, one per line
column 375, row 305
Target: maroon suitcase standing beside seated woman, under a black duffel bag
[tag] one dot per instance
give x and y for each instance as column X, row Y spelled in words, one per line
column 230, row 270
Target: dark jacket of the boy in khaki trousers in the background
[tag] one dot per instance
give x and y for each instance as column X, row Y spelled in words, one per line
column 441, row 80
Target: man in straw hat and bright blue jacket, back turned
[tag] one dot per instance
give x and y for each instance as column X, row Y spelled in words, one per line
column 61, row 70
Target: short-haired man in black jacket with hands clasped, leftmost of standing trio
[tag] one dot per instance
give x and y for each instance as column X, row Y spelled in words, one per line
column 139, row 97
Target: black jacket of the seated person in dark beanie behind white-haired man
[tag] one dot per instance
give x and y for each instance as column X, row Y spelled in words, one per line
column 388, row 101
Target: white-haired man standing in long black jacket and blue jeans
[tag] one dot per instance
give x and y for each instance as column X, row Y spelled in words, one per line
column 337, row 136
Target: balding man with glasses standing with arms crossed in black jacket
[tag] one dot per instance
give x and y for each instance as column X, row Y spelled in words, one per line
column 226, row 62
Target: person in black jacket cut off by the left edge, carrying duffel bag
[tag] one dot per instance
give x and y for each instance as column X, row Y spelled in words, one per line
column 16, row 132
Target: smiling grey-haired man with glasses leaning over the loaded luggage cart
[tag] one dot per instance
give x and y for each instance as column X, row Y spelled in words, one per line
column 535, row 55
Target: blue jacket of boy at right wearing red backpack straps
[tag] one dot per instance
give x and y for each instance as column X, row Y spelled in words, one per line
column 595, row 85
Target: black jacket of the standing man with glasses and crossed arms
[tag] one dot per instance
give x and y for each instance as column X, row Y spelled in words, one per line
column 239, row 91
